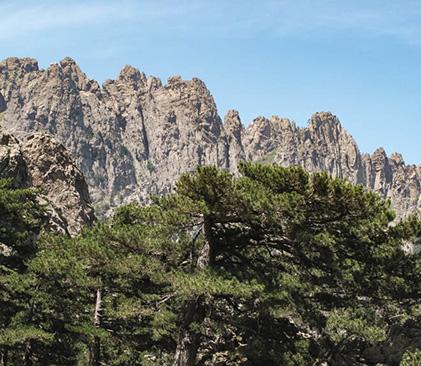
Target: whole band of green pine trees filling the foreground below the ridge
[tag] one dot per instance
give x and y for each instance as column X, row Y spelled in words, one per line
column 273, row 267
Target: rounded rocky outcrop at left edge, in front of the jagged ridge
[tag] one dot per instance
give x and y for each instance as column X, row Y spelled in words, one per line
column 42, row 162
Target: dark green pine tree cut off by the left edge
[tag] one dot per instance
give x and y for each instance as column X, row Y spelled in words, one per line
column 20, row 222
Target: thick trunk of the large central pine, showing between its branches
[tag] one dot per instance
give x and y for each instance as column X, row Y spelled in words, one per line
column 189, row 339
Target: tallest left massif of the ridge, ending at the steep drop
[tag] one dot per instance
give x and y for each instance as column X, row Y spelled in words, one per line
column 131, row 138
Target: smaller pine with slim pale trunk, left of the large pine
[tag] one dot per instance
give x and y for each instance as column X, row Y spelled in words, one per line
column 114, row 294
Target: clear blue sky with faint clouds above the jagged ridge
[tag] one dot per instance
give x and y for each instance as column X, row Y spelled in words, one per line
column 361, row 60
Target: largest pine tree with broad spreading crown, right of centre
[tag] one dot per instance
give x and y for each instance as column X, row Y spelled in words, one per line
column 280, row 251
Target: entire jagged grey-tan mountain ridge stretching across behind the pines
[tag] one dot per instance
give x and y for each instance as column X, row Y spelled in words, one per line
column 135, row 136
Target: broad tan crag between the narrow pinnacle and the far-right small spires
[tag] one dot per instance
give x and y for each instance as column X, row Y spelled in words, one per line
column 323, row 146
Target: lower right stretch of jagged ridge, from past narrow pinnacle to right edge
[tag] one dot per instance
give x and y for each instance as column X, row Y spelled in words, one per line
column 325, row 146
